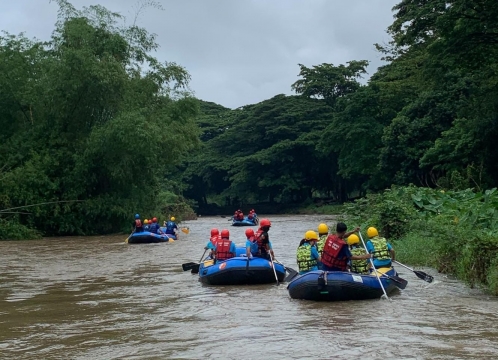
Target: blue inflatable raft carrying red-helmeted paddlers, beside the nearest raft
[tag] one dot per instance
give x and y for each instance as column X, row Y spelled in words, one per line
column 240, row 271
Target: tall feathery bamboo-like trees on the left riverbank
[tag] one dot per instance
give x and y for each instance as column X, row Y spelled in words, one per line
column 91, row 127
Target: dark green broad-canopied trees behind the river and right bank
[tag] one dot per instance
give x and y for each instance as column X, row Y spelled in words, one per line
column 427, row 117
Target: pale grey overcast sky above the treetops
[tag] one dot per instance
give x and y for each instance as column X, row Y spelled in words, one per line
column 238, row 52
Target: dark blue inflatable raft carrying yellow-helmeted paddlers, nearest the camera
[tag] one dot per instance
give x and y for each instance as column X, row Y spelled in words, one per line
column 340, row 286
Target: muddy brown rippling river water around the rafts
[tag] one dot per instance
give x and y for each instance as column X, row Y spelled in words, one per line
column 99, row 298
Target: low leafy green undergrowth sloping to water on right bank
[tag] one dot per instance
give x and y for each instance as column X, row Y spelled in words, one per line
column 453, row 231
